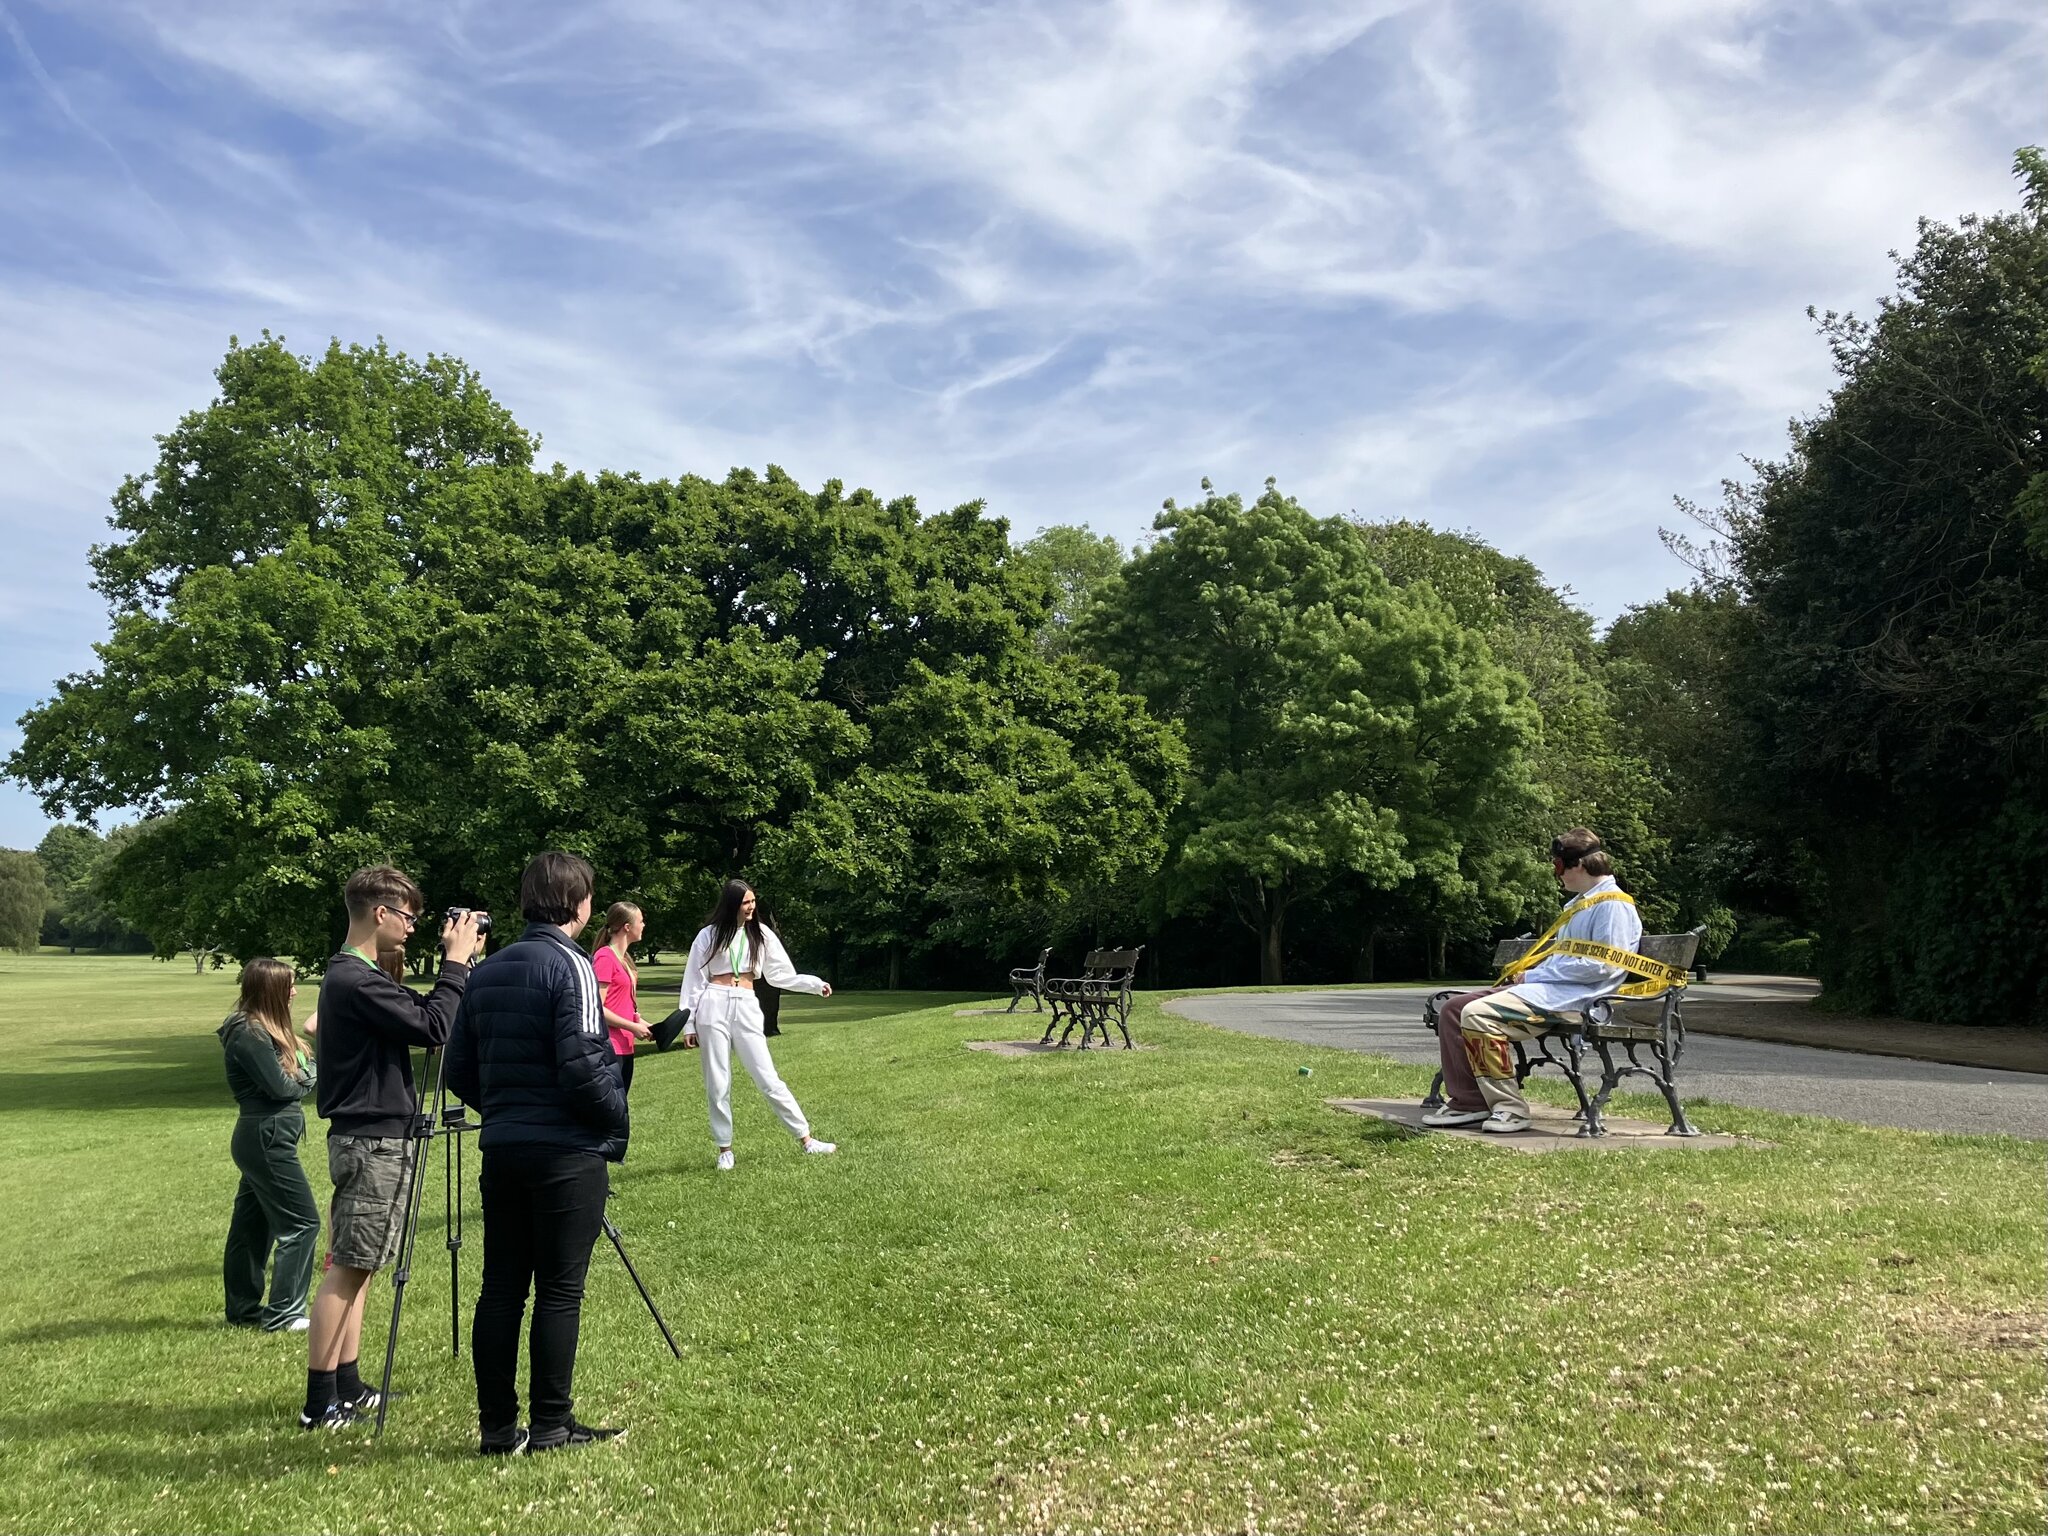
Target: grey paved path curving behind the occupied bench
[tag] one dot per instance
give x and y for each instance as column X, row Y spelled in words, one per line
column 1803, row 1080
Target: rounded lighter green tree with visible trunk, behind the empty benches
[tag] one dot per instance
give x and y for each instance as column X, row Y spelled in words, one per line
column 1336, row 728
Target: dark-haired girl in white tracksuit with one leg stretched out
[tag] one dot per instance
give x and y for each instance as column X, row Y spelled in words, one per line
column 730, row 953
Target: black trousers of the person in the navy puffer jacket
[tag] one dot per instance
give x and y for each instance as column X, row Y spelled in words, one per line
column 544, row 1209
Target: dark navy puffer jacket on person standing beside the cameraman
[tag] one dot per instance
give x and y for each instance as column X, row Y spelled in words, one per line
column 529, row 1050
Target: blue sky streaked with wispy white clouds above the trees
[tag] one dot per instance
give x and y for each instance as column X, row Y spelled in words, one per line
column 1527, row 269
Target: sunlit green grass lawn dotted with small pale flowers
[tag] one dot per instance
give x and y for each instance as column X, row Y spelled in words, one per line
column 1123, row 1291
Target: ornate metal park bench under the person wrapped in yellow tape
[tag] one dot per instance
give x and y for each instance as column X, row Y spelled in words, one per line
column 1652, row 1025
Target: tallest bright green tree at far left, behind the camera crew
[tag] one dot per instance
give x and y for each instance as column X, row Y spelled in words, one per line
column 273, row 609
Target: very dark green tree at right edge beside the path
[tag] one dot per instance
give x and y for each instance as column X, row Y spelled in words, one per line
column 1897, row 665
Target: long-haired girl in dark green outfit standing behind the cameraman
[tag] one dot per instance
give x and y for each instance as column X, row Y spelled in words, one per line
column 269, row 1074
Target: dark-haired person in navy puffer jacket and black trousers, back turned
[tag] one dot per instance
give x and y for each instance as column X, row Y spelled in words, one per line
column 531, row 1054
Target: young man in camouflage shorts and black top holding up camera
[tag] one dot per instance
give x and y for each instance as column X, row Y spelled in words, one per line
column 364, row 1050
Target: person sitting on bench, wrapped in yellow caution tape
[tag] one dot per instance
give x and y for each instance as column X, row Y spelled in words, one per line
column 1476, row 1031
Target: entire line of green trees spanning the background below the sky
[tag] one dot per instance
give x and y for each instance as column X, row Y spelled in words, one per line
column 351, row 620
